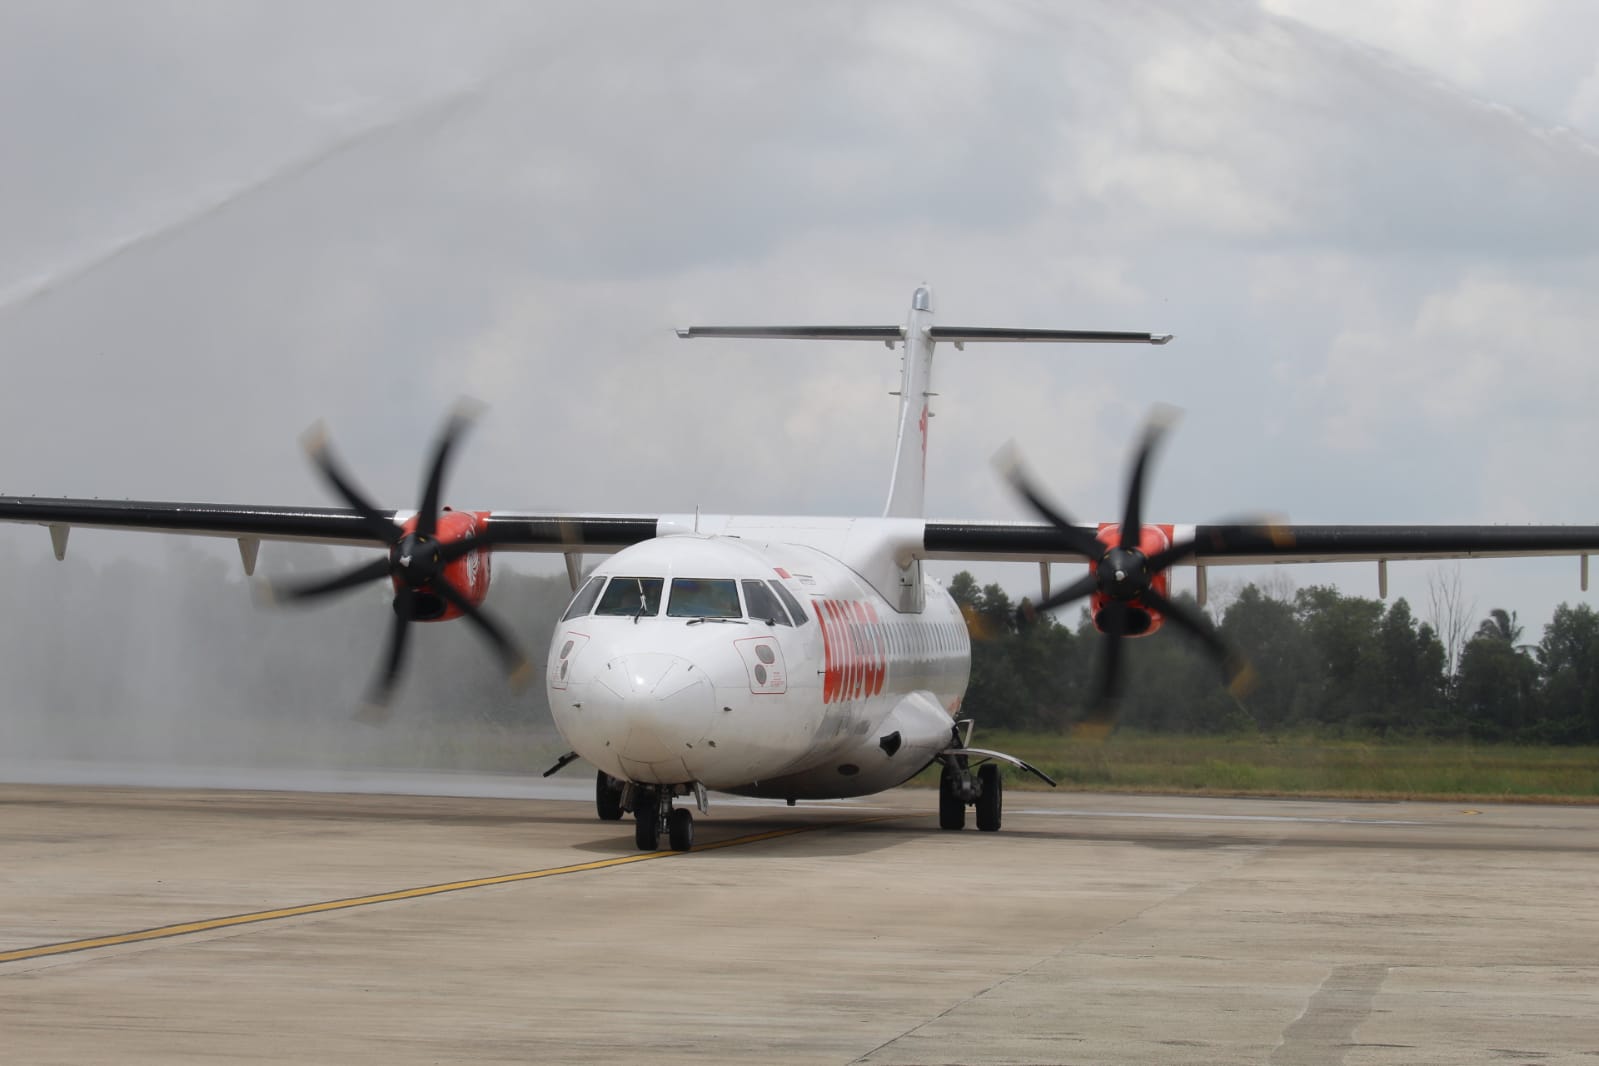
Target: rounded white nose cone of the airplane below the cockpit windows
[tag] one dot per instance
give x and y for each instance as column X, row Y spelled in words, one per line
column 660, row 704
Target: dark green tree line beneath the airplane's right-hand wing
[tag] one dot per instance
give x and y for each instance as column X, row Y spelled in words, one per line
column 1323, row 662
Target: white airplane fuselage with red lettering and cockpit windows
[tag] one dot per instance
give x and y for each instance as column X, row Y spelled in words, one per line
column 690, row 666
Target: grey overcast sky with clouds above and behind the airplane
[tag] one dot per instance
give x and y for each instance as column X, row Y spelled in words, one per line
column 1371, row 226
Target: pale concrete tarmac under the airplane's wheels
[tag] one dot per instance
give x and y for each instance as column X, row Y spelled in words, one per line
column 1093, row 929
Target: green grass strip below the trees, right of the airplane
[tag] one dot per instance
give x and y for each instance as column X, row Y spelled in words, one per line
column 1304, row 766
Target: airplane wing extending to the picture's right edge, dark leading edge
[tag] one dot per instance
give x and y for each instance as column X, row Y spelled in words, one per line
column 1258, row 544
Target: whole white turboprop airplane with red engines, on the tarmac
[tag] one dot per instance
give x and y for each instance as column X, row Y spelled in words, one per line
column 786, row 658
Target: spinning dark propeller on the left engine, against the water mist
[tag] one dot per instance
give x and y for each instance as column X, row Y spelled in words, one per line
column 417, row 565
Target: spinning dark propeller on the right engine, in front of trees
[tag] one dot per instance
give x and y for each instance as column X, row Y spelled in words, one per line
column 1125, row 575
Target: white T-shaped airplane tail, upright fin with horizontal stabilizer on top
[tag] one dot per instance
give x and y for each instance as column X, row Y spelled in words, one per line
column 907, row 487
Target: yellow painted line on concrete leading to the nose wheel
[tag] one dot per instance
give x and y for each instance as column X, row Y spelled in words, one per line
column 183, row 929
